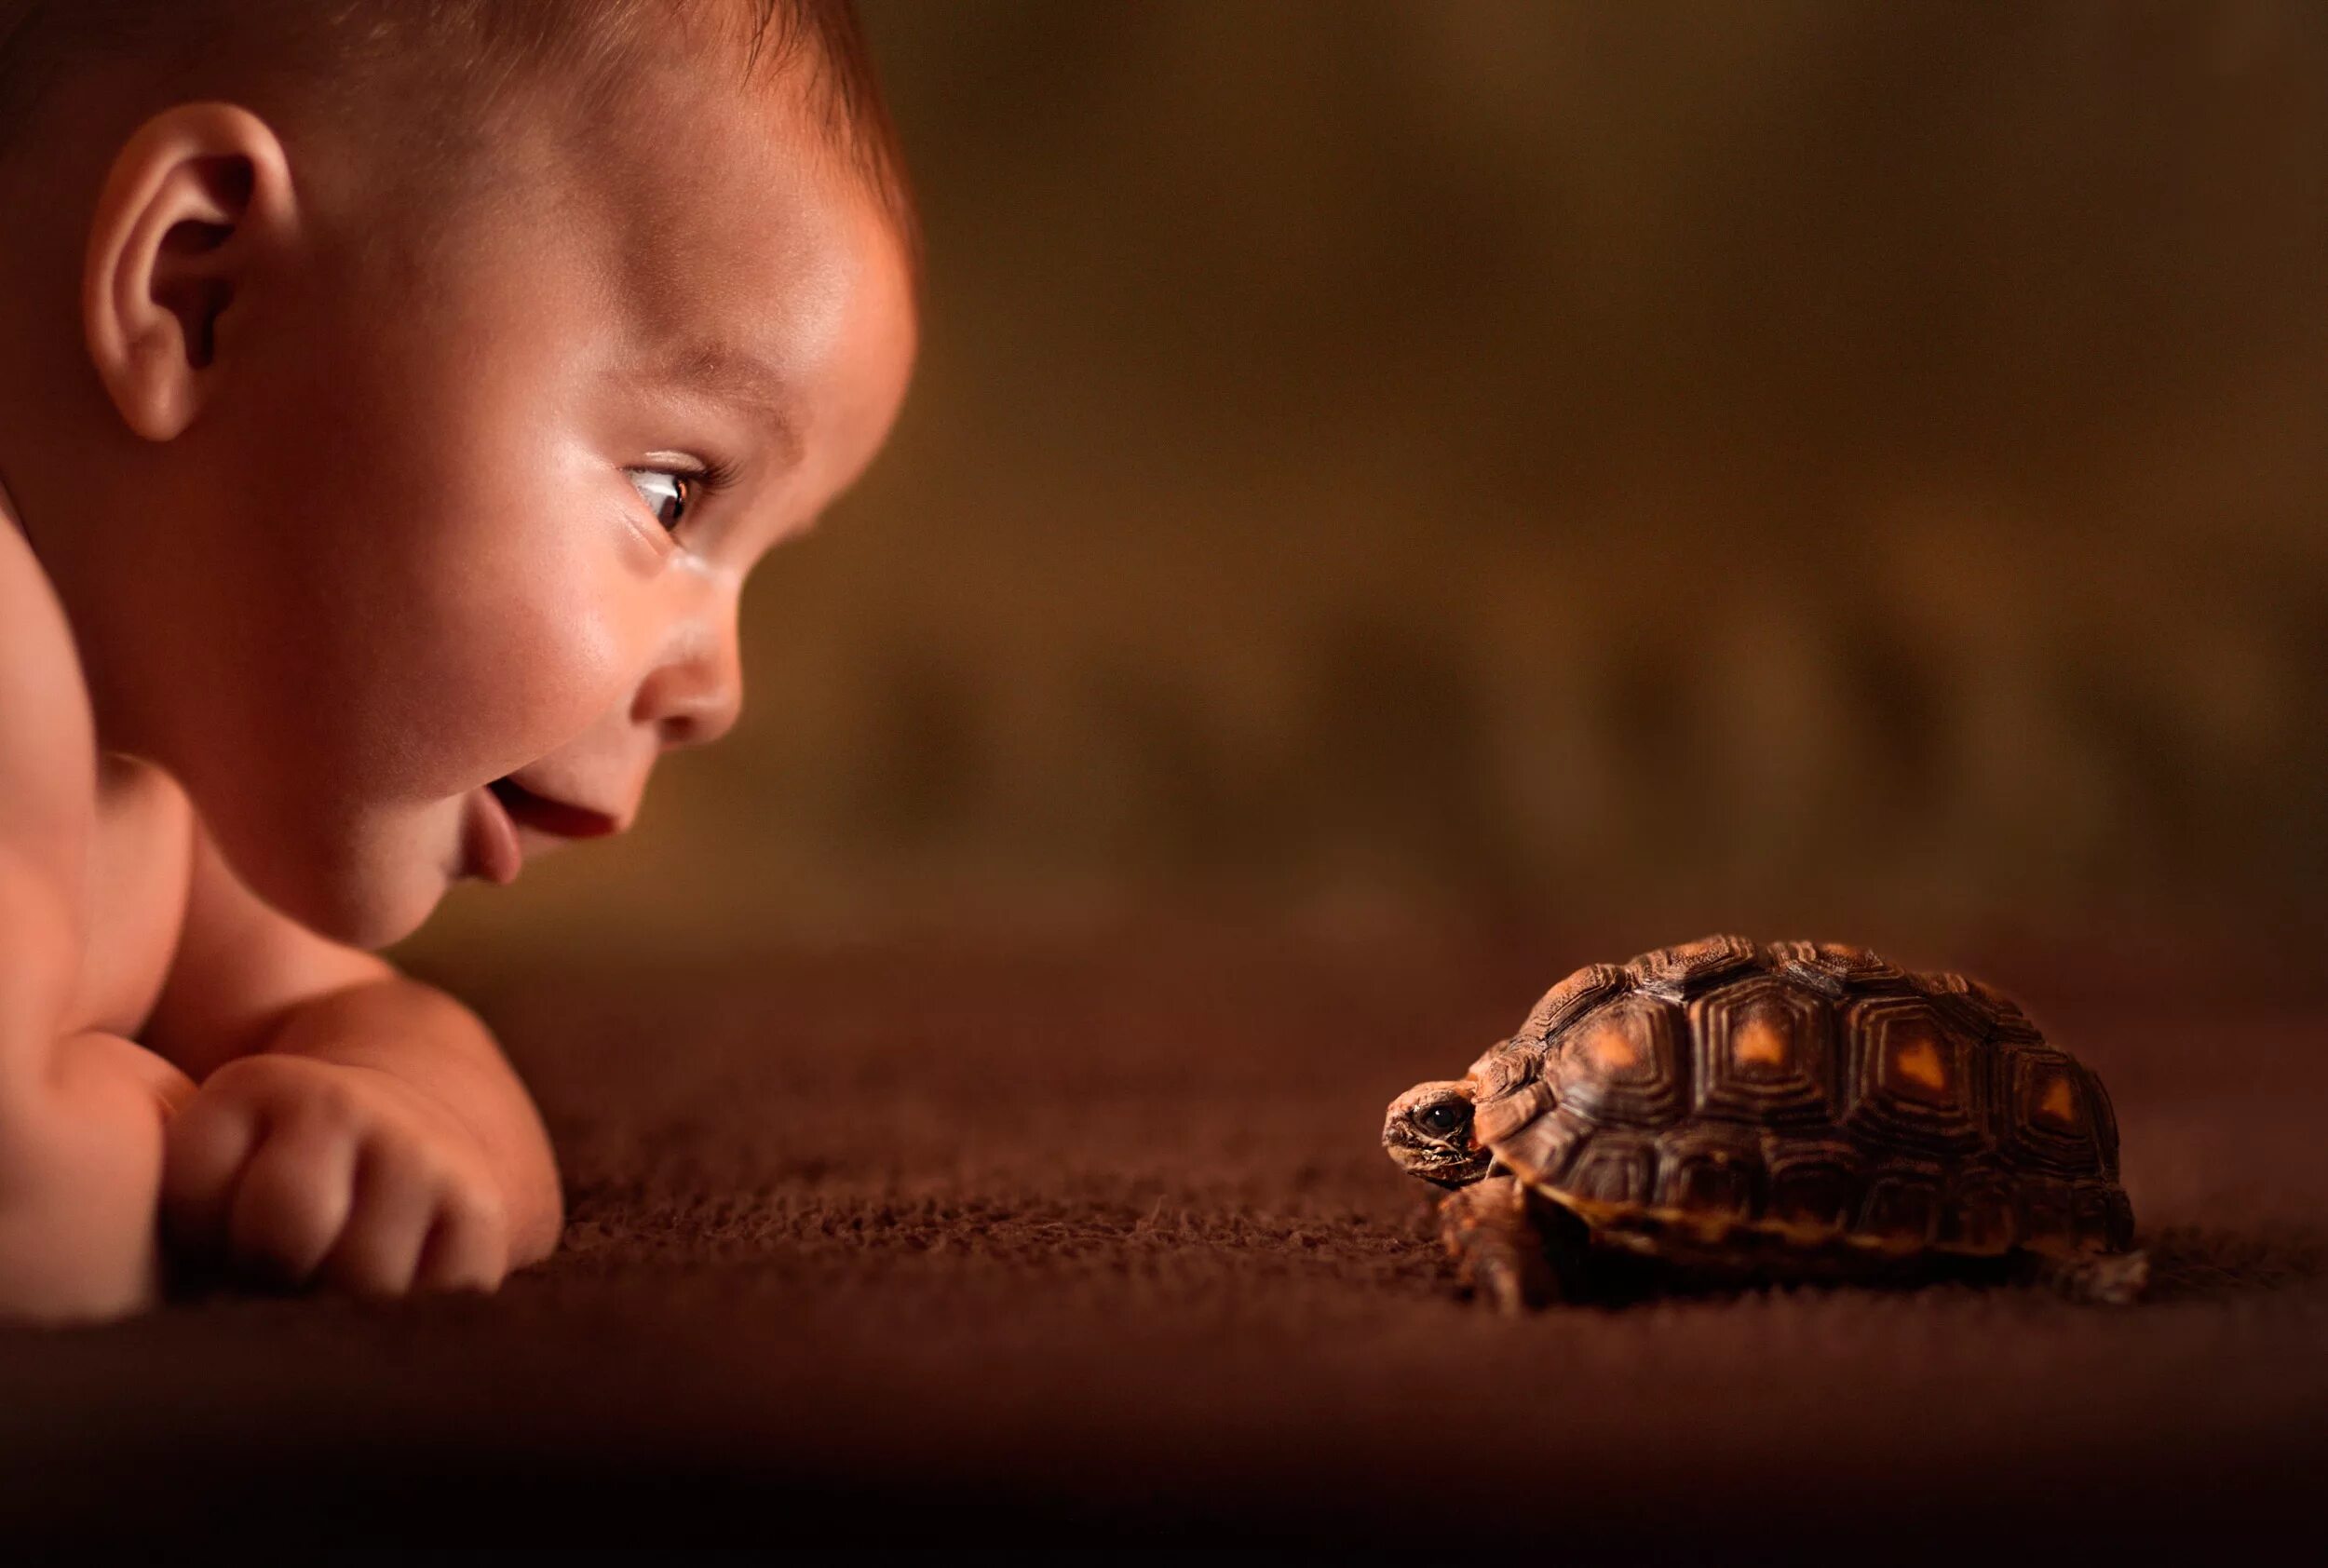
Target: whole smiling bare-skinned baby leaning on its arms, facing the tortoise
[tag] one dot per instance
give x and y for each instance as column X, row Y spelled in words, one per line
column 392, row 404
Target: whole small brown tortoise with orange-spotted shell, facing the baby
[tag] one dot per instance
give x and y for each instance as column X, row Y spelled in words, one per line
column 1724, row 1113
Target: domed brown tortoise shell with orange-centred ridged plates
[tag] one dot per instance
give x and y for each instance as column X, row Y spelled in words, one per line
column 1801, row 1095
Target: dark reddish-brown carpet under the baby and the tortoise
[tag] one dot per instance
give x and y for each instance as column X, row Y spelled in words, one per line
column 974, row 1250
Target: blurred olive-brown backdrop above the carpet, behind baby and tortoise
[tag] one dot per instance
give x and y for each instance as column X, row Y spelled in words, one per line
column 1647, row 469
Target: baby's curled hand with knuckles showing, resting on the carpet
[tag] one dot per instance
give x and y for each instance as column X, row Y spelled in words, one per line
column 308, row 1169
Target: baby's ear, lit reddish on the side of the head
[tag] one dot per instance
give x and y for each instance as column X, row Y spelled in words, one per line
column 197, row 206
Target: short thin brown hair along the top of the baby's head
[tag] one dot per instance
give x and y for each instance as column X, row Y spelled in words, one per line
column 478, row 48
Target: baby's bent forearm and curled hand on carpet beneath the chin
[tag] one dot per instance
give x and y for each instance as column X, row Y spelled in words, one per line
column 353, row 1125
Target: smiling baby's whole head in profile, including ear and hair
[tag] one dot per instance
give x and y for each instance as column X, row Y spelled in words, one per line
column 399, row 392
